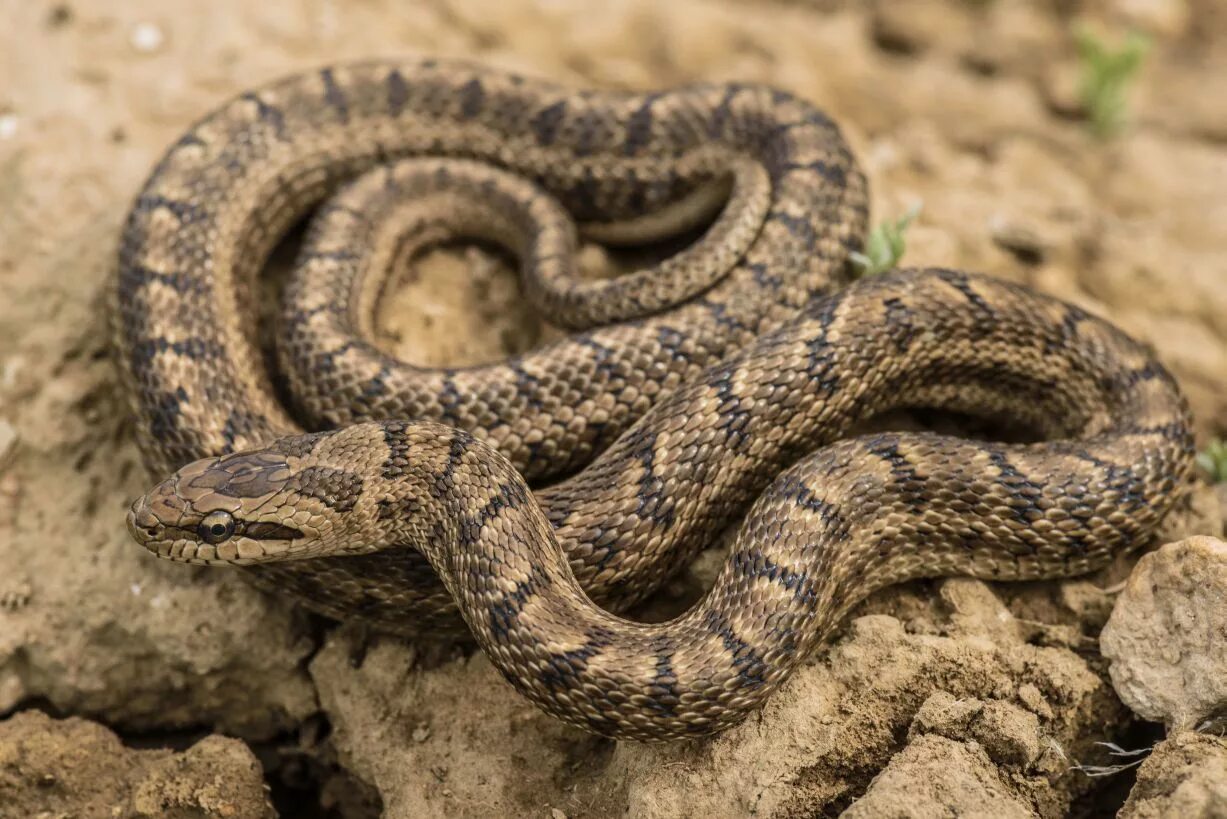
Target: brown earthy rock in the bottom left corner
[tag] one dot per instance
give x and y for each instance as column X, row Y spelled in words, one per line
column 75, row 768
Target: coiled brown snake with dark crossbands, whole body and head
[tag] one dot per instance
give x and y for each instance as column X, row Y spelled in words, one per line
column 721, row 392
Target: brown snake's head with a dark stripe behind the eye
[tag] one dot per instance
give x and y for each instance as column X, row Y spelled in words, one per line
column 248, row 509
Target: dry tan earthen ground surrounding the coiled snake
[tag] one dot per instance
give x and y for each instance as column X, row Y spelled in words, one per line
column 958, row 697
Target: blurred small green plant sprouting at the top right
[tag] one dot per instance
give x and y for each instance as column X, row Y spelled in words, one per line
column 1107, row 74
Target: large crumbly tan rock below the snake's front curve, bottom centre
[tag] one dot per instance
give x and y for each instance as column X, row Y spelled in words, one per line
column 409, row 729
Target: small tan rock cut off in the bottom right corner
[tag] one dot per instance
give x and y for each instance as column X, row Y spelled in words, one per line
column 1185, row 777
